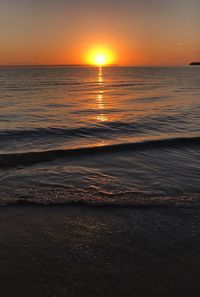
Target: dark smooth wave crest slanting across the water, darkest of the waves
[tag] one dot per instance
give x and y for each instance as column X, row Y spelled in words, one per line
column 30, row 158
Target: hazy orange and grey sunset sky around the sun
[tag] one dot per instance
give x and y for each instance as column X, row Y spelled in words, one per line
column 136, row 32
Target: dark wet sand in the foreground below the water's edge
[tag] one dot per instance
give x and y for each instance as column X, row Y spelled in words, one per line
column 78, row 251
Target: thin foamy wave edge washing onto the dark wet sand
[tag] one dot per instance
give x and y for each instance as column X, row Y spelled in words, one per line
column 140, row 201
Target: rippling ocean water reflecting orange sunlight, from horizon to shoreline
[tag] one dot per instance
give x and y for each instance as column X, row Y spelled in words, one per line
column 111, row 136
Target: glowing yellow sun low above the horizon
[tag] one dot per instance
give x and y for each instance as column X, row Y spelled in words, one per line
column 100, row 57
